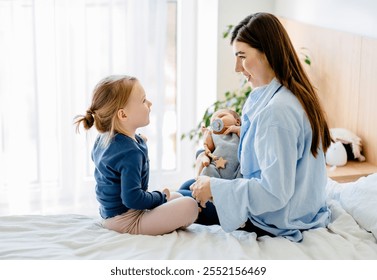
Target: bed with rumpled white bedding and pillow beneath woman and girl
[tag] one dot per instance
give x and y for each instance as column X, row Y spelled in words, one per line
column 352, row 234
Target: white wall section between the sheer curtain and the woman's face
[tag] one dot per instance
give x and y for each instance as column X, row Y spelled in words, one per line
column 215, row 60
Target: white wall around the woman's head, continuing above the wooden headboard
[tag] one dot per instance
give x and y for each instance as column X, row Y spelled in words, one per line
column 355, row 16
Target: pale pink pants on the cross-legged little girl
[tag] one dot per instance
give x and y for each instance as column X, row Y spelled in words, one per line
column 179, row 212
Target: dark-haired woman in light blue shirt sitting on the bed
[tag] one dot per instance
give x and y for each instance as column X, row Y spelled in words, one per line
column 284, row 136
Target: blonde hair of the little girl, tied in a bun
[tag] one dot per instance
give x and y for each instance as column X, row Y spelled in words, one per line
column 109, row 95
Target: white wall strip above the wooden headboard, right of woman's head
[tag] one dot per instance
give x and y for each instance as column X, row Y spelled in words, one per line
column 355, row 16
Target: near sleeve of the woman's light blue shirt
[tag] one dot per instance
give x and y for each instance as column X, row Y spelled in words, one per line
column 236, row 200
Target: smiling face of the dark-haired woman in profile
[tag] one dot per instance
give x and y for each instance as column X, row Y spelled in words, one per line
column 252, row 64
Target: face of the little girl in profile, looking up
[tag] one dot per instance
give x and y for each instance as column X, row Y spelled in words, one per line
column 137, row 109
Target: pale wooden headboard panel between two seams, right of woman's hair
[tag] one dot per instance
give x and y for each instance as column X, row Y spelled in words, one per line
column 332, row 66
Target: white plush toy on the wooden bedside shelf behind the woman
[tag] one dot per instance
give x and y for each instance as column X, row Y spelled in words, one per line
column 336, row 154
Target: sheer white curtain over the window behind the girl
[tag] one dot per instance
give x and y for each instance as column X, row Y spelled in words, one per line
column 52, row 53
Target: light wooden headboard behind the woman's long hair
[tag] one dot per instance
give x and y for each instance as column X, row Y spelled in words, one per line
column 344, row 71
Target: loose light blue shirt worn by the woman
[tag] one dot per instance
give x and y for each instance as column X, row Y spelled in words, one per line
column 283, row 186
